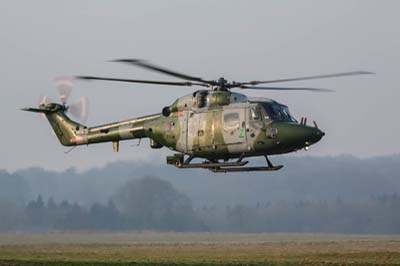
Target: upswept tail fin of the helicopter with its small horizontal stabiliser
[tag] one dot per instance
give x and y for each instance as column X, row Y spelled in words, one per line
column 69, row 133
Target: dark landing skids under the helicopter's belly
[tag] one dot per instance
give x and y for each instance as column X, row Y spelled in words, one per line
column 178, row 161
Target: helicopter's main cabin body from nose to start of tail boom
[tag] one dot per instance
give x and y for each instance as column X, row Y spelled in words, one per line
column 223, row 125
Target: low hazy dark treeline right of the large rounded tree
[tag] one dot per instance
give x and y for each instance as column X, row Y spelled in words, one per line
column 378, row 215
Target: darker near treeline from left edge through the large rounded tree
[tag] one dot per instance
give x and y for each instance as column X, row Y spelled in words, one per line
column 144, row 204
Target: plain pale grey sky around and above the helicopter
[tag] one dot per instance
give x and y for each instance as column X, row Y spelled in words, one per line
column 240, row 40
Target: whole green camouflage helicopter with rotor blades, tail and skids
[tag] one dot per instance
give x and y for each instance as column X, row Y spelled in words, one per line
column 215, row 124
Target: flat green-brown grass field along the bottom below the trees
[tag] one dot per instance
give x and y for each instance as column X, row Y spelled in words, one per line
column 149, row 248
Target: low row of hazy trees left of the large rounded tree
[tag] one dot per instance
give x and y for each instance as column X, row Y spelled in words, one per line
column 39, row 216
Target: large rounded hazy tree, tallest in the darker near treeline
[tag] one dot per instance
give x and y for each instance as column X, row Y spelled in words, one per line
column 152, row 203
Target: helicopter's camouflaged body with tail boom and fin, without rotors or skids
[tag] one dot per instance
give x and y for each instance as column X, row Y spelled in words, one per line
column 205, row 124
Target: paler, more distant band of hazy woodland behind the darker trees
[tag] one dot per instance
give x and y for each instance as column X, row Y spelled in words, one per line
column 302, row 178
